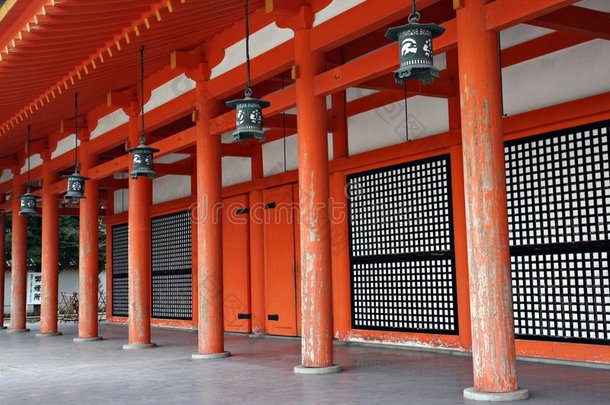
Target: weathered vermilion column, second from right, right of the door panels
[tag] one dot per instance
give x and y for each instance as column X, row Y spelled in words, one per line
column 316, row 271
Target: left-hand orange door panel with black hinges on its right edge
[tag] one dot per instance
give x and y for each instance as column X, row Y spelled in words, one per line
column 236, row 264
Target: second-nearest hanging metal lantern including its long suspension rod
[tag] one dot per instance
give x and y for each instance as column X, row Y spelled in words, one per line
column 248, row 116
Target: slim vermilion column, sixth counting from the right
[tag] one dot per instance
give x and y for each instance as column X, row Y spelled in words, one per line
column 49, row 251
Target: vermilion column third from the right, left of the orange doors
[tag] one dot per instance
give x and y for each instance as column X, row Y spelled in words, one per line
column 209, row 231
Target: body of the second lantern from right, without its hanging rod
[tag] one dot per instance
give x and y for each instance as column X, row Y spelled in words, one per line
column 248, row 118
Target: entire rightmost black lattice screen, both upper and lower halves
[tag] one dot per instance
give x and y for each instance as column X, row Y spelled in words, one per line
column 558, row 195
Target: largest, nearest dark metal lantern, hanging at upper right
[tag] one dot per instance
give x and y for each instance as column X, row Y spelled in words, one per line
column 415, row 49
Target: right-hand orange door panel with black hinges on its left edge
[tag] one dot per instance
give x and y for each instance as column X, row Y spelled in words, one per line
column 280, row 269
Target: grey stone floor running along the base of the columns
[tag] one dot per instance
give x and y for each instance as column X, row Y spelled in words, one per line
column 54, row 370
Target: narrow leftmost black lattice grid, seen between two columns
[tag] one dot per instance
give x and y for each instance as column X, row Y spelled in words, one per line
column 120, row 293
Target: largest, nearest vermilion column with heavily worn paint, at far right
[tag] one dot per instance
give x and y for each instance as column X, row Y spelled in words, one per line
column 493, row 344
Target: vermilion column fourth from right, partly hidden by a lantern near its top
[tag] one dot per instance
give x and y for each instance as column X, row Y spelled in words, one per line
column 139, row 261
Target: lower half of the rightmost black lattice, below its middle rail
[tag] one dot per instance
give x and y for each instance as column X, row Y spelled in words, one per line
column 562, row 296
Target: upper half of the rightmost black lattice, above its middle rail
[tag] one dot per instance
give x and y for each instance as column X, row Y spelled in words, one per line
column 558, row 187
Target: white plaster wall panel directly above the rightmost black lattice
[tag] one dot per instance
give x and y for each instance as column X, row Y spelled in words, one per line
column 570, row 74
